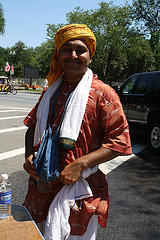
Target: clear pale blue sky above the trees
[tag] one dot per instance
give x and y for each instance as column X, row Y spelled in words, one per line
column 26, row 20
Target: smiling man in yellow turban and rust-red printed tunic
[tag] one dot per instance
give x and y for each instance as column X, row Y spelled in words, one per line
column 102, row 132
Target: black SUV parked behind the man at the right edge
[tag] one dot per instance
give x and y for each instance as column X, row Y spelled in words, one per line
column 140, row 97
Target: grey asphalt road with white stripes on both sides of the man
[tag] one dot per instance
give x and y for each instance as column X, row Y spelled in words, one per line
column 134, row 185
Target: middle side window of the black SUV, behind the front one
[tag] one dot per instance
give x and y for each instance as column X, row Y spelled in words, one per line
column 144, row 83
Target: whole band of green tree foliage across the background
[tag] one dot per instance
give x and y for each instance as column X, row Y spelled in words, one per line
column 123, row 48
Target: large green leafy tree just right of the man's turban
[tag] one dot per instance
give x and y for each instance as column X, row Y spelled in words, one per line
column 115, row 34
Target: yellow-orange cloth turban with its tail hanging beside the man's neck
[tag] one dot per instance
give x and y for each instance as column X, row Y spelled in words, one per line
column 71, row 31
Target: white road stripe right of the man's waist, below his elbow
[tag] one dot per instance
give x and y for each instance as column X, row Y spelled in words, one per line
column 107, row 167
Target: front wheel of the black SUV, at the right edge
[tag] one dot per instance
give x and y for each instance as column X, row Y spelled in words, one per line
column 154, row 136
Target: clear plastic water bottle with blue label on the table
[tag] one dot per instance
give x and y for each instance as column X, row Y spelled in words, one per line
column 5, row 197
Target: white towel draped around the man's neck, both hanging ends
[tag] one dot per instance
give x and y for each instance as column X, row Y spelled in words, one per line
column 74, row 113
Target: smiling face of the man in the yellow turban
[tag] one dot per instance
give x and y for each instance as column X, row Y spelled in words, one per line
column 74, row 58
